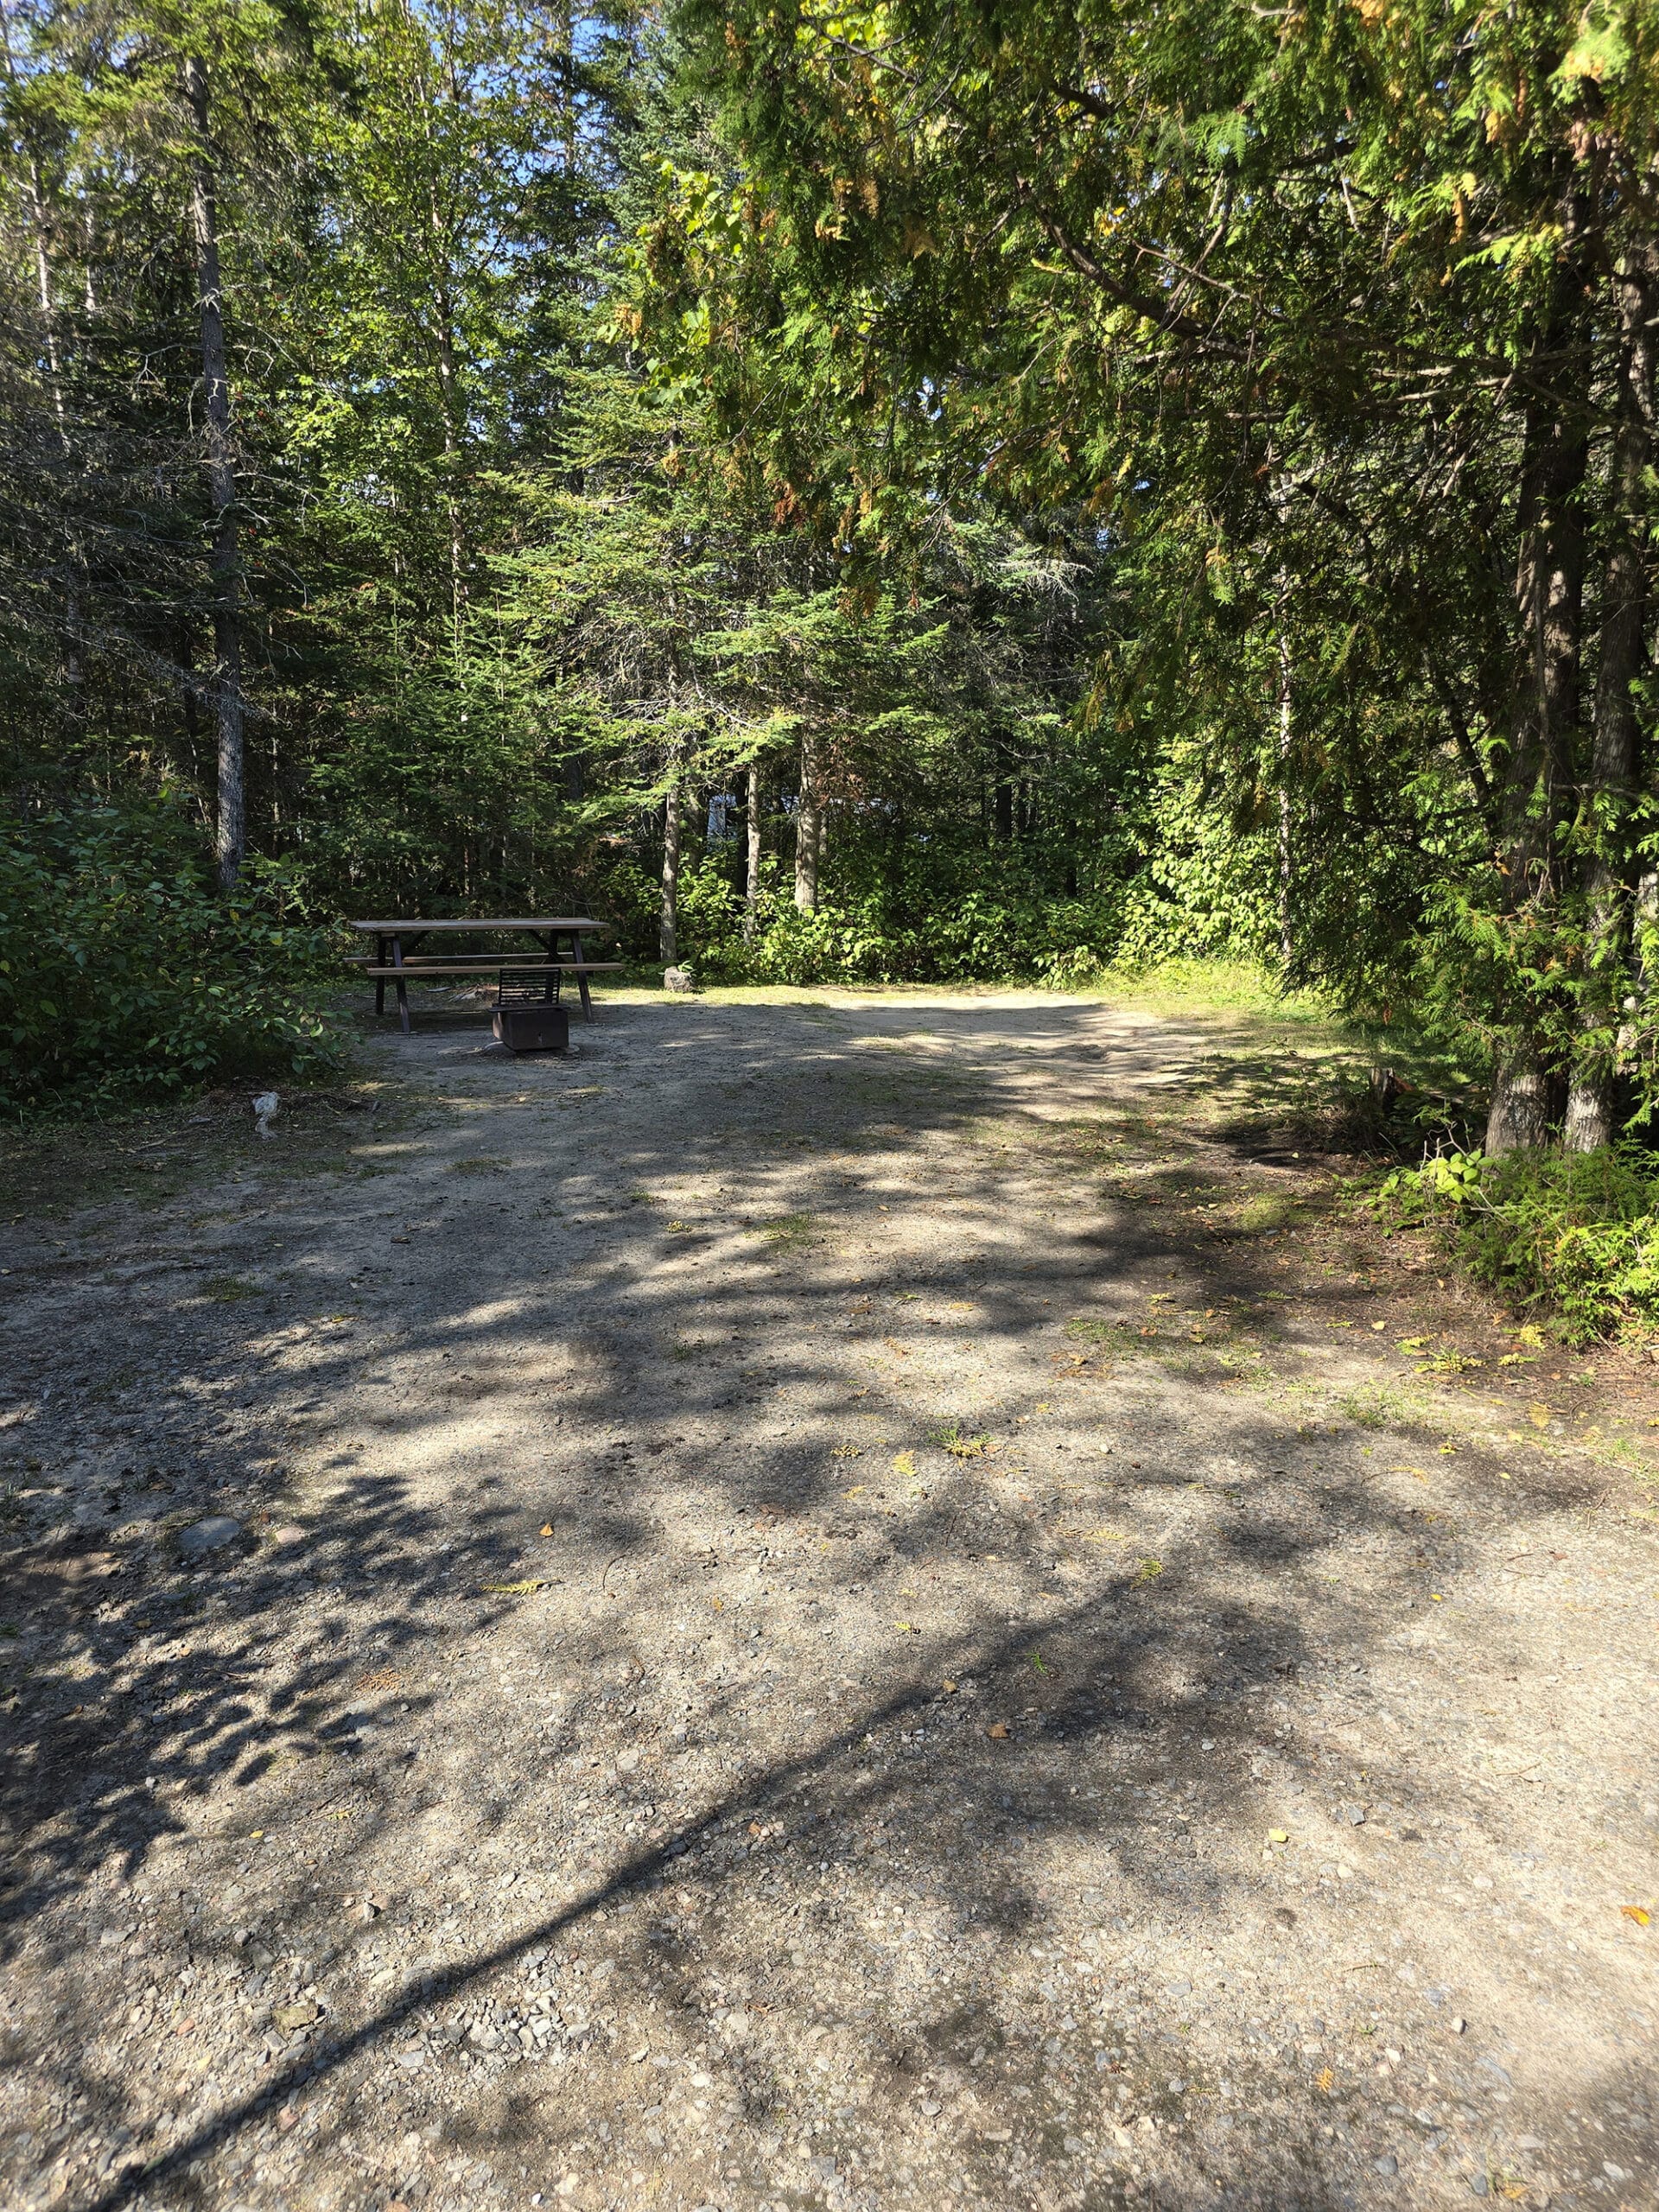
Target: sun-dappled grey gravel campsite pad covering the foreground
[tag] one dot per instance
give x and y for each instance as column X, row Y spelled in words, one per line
column 833, row 1603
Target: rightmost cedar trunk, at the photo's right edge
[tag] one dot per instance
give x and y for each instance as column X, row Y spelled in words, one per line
column 1611, row 786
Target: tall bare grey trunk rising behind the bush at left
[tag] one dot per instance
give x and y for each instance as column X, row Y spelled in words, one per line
column 231, row 828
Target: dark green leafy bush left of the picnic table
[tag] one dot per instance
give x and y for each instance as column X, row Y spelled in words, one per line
column 123, row 968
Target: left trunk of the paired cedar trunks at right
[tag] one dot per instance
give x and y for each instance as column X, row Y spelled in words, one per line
column 1545, row 727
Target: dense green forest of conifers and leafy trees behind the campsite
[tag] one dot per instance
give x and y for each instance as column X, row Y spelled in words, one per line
column 842, row 494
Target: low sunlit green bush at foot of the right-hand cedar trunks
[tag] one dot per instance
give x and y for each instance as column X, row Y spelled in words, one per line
column 1574, row 1233
